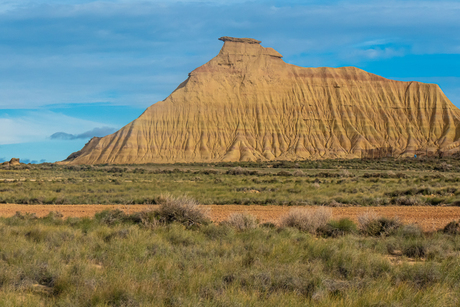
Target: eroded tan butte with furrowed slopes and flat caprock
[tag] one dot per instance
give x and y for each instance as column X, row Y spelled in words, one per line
column 248, row 104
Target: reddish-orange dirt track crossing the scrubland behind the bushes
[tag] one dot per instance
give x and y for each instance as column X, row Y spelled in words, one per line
column 429, row 218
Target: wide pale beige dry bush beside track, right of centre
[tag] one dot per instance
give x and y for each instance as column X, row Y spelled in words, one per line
column 307, row 219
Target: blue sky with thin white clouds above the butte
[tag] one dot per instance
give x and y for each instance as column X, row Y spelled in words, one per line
column 72, row 69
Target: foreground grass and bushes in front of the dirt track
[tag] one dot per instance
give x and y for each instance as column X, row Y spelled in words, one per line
column 174, row 256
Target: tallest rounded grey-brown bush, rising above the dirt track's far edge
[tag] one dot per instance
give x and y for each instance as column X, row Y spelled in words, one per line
column 183, row 210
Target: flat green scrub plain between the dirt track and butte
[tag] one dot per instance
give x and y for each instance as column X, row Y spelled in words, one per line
column 407, row 182
